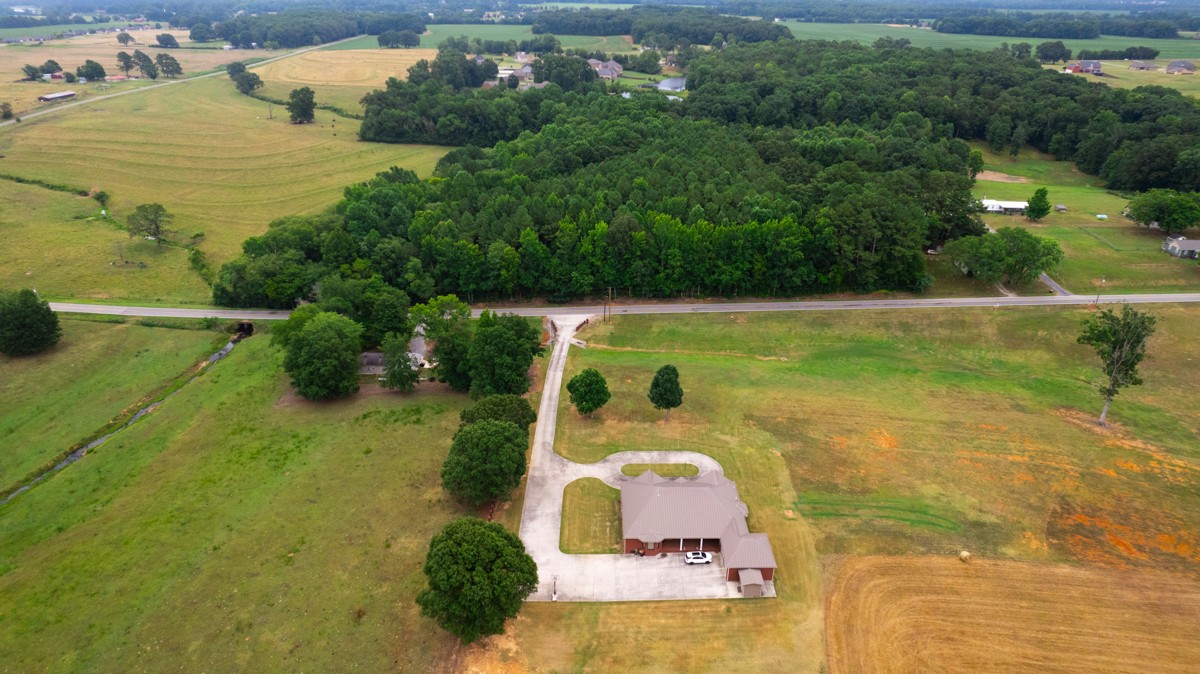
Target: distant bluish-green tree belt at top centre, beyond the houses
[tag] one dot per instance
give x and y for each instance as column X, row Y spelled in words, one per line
column 662, row 27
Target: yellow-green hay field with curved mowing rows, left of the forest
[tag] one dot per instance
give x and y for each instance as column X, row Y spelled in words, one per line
column 206, row 153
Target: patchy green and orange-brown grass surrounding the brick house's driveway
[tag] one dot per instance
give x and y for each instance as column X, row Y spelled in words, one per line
column 893, row 432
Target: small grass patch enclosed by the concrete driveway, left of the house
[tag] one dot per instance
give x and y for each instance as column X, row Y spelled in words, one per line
column 591, row 519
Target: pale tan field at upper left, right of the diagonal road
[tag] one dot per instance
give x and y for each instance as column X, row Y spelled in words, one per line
column 340, row 77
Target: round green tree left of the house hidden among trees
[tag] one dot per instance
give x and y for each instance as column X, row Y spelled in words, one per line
column 323, row 359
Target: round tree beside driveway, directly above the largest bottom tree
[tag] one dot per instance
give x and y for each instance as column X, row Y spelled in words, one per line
column 487, row 462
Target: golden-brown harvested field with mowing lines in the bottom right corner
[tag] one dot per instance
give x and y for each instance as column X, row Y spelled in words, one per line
column 932, row 615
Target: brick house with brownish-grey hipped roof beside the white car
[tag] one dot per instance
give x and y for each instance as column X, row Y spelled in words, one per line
column 695, row 514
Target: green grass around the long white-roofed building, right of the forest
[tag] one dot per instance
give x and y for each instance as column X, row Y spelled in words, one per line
column 1113, row 256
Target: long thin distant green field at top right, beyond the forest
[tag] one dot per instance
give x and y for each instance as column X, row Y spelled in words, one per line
column 921, row 38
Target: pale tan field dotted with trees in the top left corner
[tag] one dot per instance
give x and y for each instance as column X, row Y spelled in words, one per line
column 71, row 53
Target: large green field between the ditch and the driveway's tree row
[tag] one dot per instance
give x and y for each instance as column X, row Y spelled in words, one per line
column 233, row 532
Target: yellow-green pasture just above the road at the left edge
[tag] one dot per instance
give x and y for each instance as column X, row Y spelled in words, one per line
column 59, row 244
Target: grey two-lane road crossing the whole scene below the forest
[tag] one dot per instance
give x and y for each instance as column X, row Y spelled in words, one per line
column 694, row 308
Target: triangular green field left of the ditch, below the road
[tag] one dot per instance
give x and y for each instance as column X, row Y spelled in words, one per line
column 52, row 401
